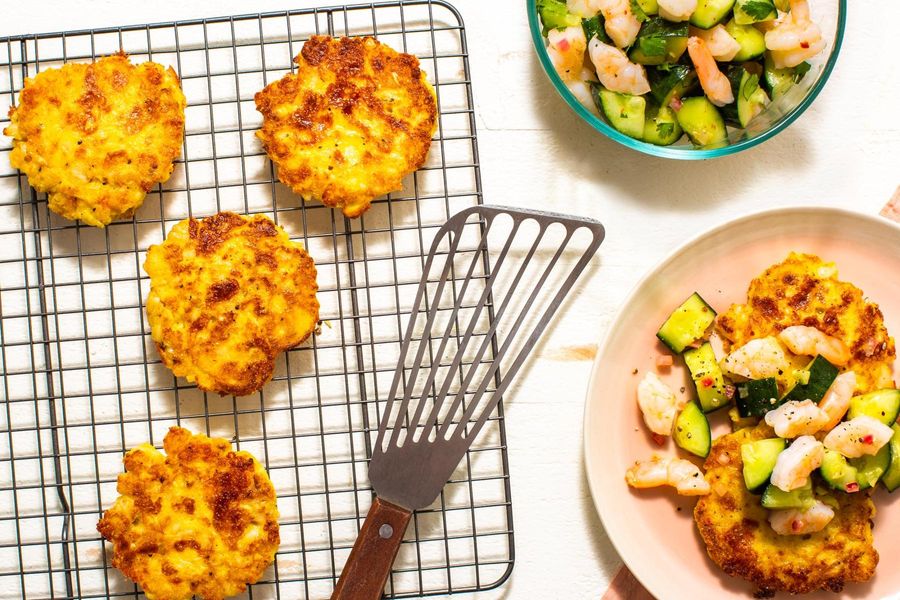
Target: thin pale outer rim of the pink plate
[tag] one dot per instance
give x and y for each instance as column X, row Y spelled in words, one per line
column 654, row 271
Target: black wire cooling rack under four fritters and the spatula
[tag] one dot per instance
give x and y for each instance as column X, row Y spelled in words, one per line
column 82, row 382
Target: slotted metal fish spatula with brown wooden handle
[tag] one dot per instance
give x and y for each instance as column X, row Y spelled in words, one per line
column 437, row 406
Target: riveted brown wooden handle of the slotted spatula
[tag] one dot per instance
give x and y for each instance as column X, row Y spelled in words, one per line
column 369, row 564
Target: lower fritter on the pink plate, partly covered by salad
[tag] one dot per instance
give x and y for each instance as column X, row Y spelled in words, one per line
column 738, row 537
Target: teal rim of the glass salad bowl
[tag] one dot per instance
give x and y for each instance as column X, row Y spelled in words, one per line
column 667, row 151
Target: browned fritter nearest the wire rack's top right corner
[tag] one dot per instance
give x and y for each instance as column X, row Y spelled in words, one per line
column 354, row 120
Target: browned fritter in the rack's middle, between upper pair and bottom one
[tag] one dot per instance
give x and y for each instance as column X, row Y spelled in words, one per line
column 227, row 295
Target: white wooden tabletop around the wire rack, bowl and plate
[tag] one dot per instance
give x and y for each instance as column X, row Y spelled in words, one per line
column 844, row 151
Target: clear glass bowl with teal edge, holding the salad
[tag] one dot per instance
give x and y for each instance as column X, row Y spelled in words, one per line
column 830, row 15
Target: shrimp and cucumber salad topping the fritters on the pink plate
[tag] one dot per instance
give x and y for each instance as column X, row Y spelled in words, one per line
column 819, row 430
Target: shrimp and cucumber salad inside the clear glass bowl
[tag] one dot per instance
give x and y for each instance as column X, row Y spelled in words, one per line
column 658, row 69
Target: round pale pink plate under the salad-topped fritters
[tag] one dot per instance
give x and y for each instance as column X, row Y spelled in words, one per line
column 653, row 530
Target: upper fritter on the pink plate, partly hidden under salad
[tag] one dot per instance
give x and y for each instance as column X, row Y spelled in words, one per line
column 804, row 290
